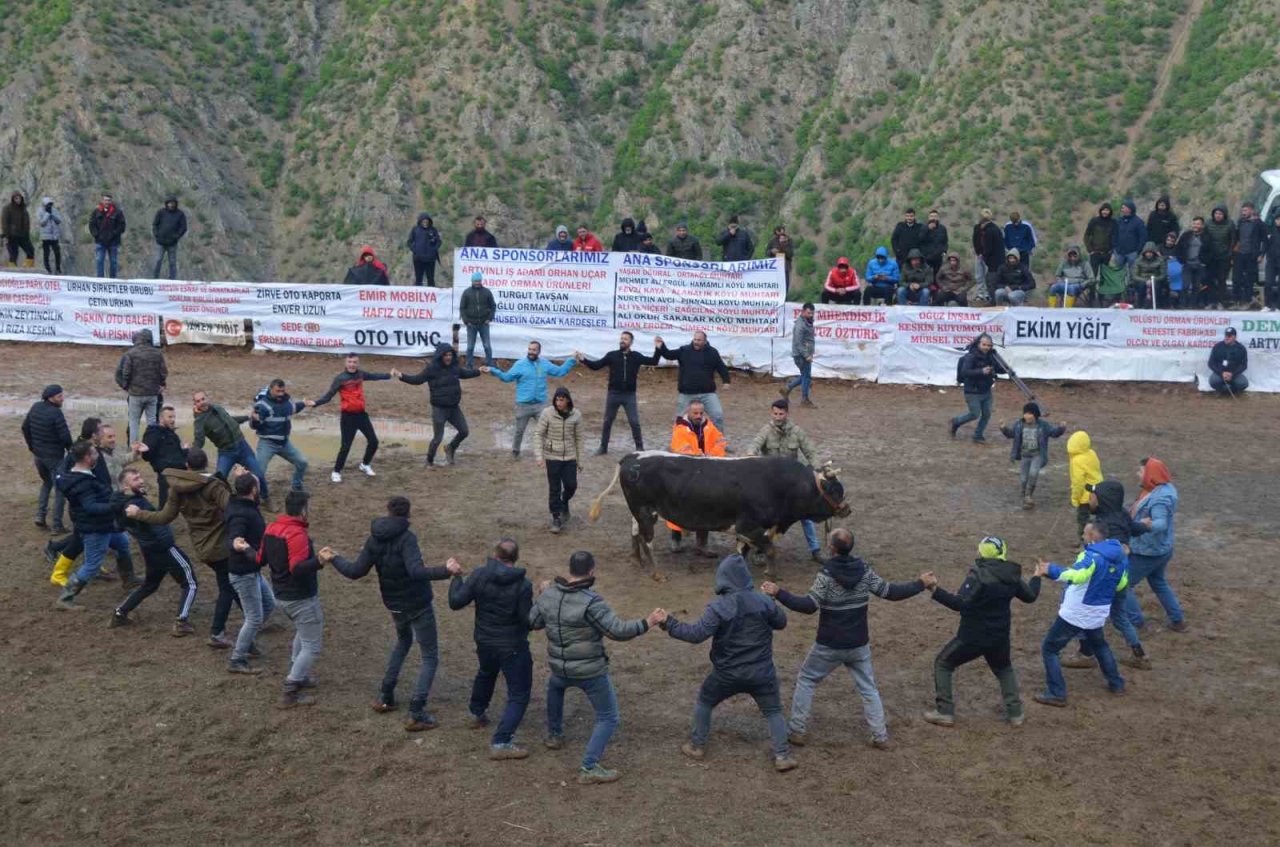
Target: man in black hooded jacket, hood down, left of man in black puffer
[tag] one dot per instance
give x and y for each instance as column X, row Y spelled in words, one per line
column 405, row 583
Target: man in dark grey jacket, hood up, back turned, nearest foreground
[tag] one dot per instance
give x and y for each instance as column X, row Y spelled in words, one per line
column 740, row 622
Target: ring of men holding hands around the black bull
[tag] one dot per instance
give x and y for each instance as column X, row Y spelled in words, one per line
column 262, row 567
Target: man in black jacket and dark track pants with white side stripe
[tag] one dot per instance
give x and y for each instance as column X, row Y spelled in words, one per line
column 161, row 553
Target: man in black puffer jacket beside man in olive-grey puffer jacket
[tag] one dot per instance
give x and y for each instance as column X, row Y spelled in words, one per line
column 504, row 599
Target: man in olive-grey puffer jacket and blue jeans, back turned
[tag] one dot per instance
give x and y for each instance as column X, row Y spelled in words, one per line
column 578, row 620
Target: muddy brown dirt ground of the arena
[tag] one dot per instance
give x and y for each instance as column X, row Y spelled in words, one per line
column 130, row 736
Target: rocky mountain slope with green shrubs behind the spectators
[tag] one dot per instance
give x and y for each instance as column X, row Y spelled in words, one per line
column 296, row 131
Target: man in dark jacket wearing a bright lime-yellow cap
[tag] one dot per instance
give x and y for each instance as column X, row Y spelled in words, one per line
column 984, row 603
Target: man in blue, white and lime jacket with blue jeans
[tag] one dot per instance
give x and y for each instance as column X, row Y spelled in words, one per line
column 1094, row 580
